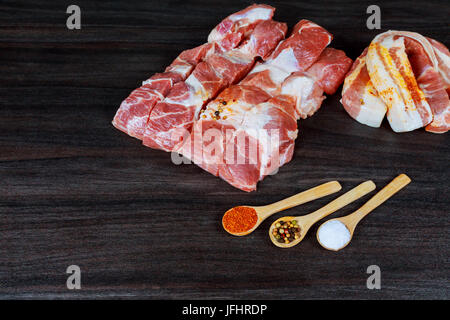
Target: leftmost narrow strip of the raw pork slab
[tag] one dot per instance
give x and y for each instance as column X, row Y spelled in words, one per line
column 132, row 115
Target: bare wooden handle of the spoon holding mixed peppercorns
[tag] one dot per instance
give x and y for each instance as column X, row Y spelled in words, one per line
column 338, row 203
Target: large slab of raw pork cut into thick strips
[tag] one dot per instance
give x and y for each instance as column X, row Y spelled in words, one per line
column 247, row 130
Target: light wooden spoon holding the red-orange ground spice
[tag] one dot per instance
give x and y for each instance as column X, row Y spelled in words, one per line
column 264, row 212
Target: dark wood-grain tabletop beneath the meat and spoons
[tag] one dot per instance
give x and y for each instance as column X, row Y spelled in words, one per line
column 74, row 190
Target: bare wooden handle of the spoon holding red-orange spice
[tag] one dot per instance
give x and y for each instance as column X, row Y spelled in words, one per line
column 300, row 198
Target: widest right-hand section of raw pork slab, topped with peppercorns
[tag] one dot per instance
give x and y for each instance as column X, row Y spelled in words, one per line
column 249, row 130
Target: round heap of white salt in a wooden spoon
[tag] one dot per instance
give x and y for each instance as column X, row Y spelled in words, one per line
column 334, row 235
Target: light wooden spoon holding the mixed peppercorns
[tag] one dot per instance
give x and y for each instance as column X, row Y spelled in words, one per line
column 305, row 222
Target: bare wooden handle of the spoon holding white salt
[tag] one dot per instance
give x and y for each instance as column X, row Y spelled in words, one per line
column 388, row 191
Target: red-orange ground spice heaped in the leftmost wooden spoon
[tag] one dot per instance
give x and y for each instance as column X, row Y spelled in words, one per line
column 239, row 219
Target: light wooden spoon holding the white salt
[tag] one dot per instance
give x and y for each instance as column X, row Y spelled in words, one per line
column 351, row 220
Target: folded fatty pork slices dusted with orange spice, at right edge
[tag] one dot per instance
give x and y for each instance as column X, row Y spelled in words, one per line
column 403, row 75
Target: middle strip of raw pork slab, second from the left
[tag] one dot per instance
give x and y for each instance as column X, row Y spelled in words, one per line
column 171, row 119
